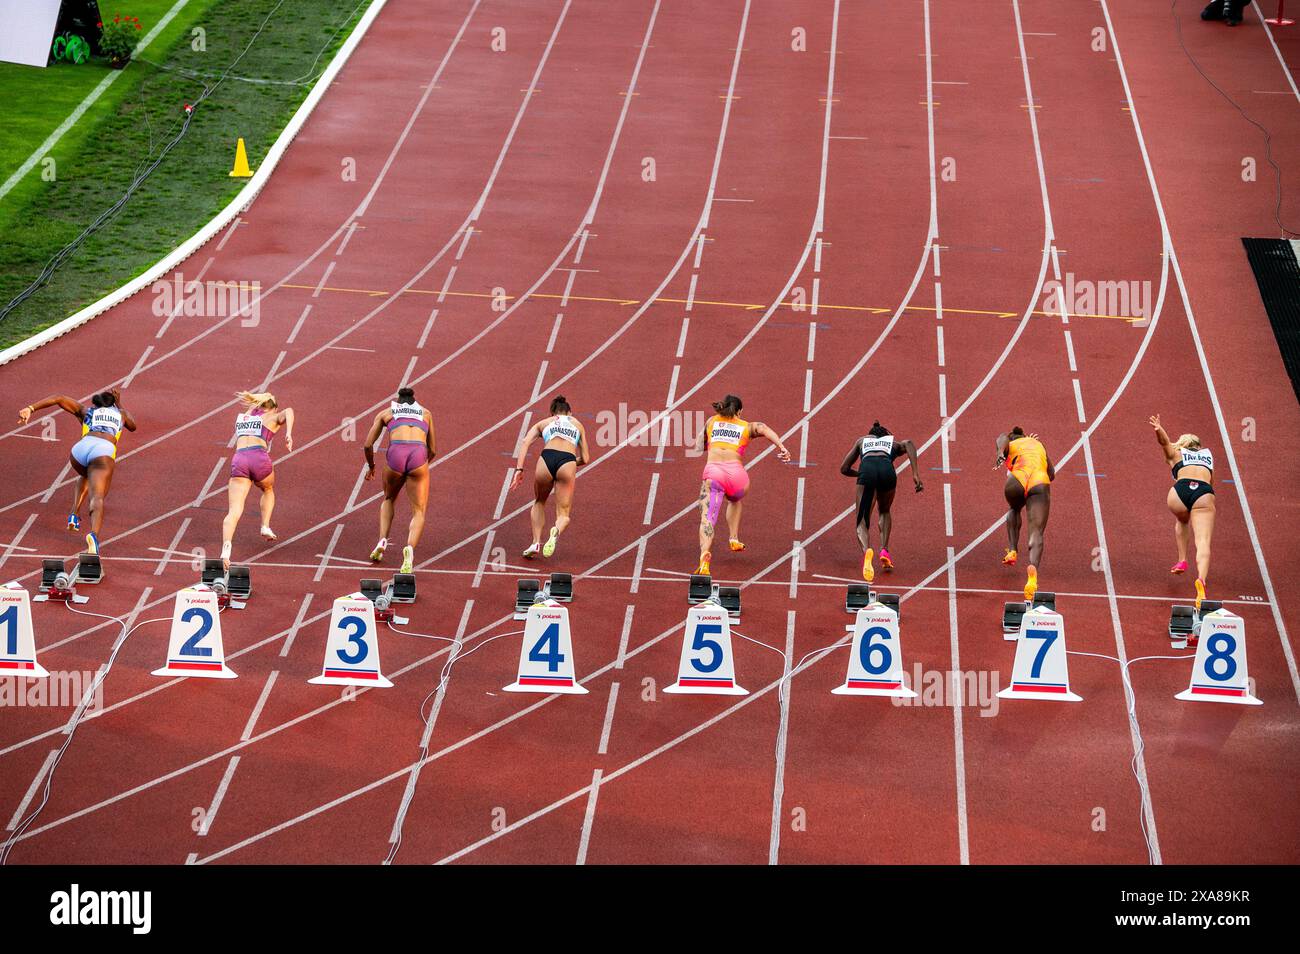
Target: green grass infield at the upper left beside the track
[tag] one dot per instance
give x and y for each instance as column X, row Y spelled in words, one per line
column 98, row 159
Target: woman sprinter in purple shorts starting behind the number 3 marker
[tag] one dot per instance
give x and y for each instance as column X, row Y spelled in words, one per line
column 410, row 450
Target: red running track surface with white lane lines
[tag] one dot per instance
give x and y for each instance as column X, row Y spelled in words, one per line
column 782, row 177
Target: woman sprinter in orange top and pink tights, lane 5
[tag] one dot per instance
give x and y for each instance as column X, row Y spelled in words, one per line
column 726, row 437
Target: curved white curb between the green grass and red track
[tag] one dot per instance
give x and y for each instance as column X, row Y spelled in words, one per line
column 239, row 205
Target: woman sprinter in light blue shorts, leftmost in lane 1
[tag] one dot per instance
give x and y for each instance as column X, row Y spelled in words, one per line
column 94, row 458
